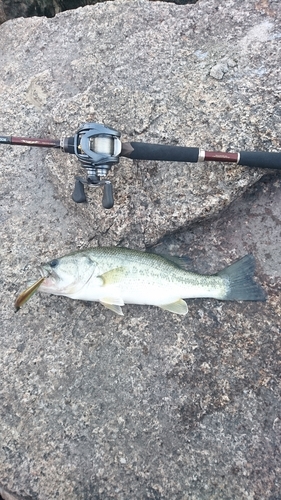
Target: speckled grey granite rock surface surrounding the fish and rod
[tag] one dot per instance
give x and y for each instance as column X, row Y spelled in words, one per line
column 149, row 405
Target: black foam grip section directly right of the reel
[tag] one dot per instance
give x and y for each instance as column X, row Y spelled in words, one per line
column 161, row 152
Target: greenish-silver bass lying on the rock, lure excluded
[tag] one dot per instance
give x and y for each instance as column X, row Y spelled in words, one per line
column 115, row 276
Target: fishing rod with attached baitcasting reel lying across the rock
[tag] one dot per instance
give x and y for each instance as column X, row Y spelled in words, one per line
column 98, row 148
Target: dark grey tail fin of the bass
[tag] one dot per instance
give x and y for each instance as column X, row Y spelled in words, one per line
column 239, row 279
